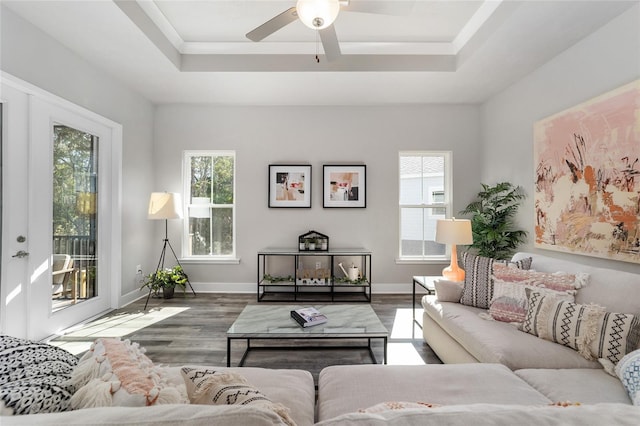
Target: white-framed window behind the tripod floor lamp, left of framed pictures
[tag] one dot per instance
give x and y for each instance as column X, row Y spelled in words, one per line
column 210, row 205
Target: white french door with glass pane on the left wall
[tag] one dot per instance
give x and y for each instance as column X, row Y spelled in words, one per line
column 58, row 244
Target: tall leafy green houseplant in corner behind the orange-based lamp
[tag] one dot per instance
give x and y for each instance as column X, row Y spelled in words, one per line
column 492, row 215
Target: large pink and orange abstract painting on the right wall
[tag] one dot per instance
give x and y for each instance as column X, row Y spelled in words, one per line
column 587, row 189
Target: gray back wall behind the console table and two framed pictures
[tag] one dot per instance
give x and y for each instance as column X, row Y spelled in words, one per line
column 316, row 135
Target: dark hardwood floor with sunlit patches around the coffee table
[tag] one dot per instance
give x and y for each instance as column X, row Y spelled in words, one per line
column 191, row 330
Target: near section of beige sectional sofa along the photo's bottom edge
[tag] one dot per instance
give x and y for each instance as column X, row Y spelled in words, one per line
column 461, row 394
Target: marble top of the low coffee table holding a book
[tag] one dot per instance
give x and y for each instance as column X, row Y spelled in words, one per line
column 274, row 321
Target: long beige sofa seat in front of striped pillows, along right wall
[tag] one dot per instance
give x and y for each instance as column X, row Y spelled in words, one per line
column 499, row 342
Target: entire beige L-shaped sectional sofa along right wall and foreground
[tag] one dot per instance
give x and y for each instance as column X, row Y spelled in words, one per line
column 495, row 374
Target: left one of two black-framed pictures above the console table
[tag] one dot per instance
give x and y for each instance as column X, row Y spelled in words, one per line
column 290, row 186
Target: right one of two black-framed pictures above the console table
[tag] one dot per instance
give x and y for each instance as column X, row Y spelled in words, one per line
column 344, row 186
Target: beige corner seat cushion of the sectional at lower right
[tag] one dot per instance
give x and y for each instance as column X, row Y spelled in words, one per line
column 584, row 385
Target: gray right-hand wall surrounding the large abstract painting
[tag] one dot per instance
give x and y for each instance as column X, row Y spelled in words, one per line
column 607, row 59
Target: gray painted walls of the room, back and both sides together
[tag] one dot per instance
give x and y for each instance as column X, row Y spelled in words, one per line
column 372, row 135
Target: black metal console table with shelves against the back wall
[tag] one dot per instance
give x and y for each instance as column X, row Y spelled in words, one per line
column 312, row 284
